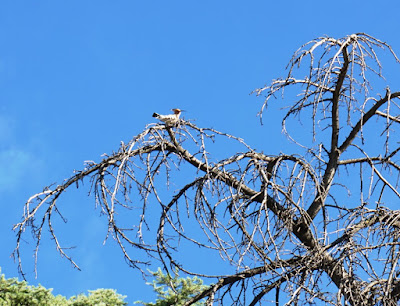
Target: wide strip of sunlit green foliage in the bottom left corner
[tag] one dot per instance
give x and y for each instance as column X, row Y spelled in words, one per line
column 14, row 292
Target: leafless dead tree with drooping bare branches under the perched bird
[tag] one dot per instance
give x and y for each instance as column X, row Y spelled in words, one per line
column 315, row 226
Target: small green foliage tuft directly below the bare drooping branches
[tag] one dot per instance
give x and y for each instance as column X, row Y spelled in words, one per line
column 174, row 290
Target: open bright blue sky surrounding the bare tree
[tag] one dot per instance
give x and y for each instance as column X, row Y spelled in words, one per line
column 78, row 77
